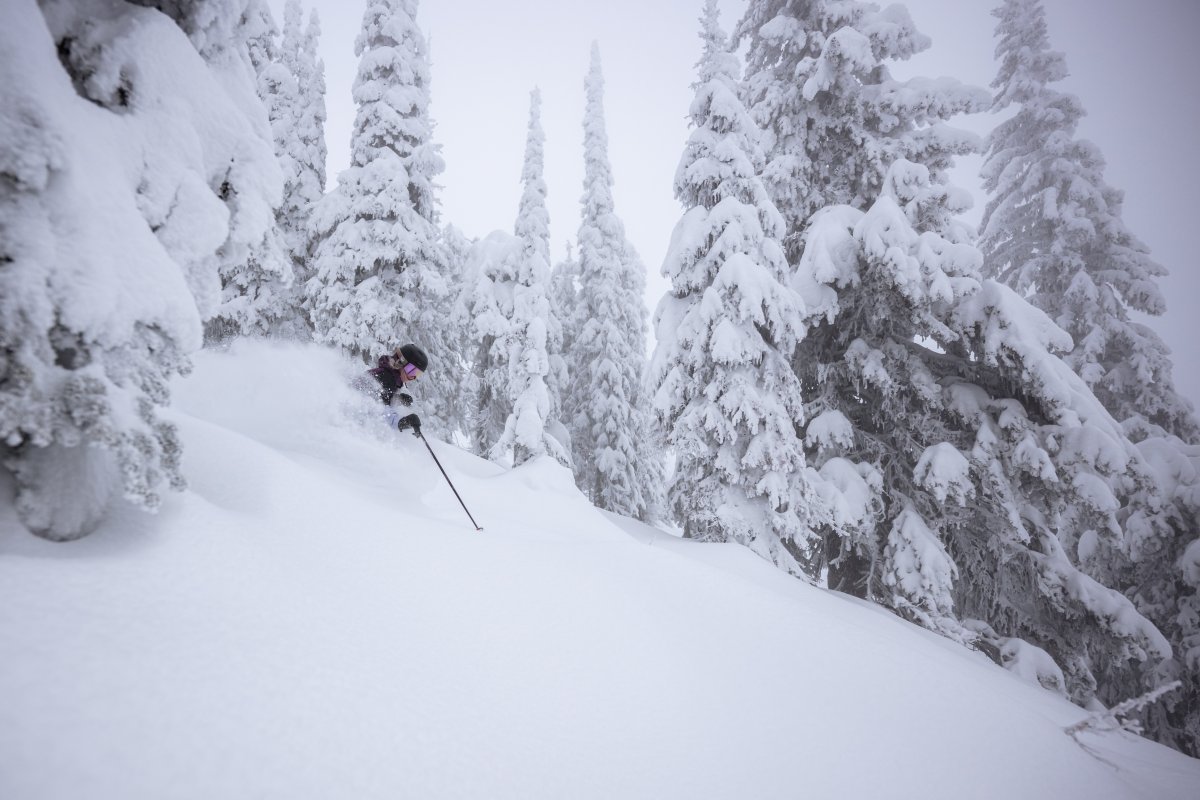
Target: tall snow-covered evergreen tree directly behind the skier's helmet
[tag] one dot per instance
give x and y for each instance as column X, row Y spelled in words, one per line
column 381, row 267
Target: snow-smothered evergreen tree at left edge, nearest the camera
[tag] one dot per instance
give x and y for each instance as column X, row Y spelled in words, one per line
column 135, row 169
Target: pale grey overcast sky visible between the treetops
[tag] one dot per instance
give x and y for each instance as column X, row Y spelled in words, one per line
column 1135, row 67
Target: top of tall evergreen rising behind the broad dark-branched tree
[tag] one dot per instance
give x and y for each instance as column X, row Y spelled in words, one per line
column 818, row 82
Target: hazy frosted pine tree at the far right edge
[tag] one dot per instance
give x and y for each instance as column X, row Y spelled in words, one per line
column 1053, row 231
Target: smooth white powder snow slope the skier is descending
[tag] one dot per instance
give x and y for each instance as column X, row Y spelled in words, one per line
column 316, row 618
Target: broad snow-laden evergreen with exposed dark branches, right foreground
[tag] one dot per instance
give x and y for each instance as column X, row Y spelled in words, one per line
column 970, row 471
